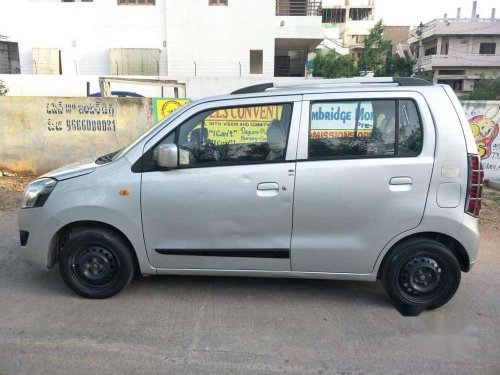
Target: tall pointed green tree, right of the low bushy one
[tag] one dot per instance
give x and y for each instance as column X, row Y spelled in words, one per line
column 374, row 55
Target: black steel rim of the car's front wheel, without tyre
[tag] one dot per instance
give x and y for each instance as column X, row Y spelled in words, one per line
column 94, row 266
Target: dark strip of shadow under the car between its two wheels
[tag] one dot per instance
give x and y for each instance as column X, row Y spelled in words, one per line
column 265, row 290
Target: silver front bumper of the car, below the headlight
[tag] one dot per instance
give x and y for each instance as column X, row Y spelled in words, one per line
column 42, row 227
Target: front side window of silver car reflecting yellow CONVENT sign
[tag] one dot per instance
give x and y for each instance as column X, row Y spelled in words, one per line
column 236, row 135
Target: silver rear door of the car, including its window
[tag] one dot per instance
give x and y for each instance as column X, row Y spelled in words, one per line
column 363, row 173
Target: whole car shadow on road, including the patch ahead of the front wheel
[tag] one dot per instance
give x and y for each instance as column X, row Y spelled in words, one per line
column 224, row 288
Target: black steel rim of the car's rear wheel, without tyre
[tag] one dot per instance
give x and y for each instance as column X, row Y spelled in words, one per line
column 420, row 279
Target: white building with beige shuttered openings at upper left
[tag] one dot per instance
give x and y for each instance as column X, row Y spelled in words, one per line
column 84, row 37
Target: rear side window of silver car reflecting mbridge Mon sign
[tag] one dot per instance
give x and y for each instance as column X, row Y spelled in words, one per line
column 364, row 128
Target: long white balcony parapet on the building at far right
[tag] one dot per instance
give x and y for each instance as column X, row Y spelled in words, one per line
column 457, row 60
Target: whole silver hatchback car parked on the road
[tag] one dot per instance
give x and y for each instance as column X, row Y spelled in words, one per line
column 357, row 179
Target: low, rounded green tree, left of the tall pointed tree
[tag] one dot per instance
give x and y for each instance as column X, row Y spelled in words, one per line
column 334, row 65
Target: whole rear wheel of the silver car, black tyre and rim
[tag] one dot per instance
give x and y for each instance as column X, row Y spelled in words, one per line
column 421, row 273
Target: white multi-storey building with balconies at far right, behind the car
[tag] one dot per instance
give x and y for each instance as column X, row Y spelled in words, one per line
column 458, row 50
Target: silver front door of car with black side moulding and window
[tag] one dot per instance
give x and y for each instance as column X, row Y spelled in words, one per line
column 229, row 203
